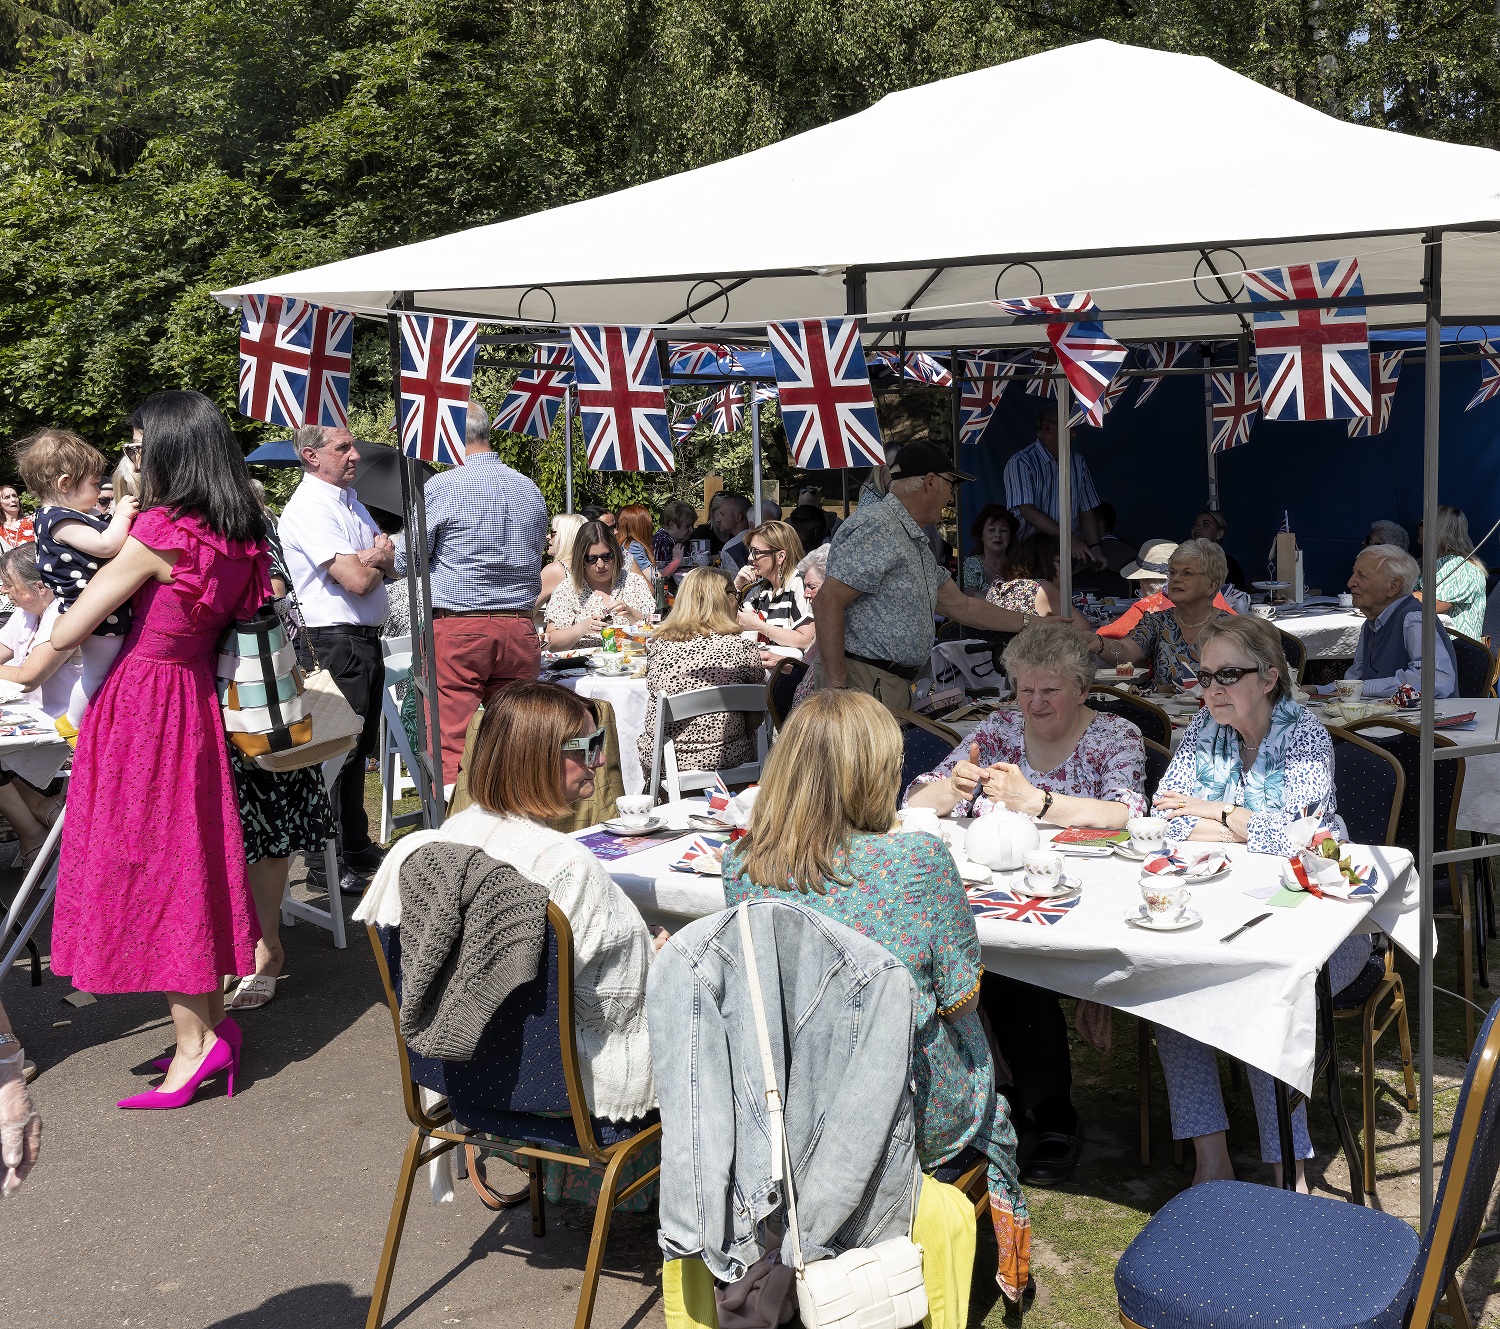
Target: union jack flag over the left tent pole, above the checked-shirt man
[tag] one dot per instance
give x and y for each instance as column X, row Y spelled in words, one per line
column 437, row 373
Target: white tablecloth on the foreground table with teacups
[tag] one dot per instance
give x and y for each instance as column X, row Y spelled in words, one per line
column 1253, row 998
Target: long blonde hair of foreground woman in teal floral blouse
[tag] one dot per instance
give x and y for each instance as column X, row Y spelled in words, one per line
column 836, row 770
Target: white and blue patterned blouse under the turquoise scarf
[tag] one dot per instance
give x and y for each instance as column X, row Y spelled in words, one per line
column 1307, row 782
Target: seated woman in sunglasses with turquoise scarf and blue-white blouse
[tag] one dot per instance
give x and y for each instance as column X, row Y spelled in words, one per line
column 1250, row 764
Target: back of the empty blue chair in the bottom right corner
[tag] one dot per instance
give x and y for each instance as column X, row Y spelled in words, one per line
column 1469, row 1175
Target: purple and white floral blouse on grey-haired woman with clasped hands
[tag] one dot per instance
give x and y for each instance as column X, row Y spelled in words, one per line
column 1109, row 763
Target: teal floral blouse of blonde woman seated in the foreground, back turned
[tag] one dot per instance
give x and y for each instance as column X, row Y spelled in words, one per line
column 905, row 893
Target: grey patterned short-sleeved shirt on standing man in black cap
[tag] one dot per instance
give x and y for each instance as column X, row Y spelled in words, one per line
column 881, row 553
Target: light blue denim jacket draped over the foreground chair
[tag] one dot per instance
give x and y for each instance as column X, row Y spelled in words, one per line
column 842, row 1019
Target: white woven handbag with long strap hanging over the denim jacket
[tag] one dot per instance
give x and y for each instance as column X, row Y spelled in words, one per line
column 877, row 1288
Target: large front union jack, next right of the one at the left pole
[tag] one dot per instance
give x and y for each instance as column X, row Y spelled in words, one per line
column 622, row 400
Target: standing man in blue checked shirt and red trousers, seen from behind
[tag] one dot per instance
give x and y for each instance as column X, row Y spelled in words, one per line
column 487, row 535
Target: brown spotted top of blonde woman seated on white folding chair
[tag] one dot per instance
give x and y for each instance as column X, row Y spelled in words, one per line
column 706, row 743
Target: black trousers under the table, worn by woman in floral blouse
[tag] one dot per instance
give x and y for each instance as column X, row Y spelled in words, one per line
column 1033, row 1036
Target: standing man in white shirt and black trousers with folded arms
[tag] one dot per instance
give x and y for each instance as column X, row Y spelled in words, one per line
column 325, row 530
